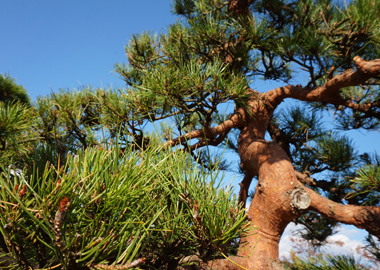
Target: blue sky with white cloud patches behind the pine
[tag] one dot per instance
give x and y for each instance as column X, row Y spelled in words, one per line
column 50, row 45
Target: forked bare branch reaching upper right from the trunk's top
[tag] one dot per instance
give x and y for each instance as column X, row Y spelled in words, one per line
column 330, row 91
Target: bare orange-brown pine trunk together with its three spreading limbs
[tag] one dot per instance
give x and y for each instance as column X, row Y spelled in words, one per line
column 279, row 196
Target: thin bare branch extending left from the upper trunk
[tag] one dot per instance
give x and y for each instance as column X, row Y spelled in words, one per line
column 214, row 134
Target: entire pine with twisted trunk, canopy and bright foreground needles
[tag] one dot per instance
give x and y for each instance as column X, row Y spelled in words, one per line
column 324, row 54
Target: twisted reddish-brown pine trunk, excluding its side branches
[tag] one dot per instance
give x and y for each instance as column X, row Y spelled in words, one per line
column 278, row 199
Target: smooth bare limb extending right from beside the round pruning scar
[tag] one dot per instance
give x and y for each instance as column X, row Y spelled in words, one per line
column 364, row 217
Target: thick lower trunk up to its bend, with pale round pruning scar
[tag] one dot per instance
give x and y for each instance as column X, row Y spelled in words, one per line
column 279, row 198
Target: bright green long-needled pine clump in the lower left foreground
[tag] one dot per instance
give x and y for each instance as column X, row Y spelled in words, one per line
column 104, row 207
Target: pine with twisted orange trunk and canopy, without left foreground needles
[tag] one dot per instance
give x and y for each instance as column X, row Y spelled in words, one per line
column 214, row 54
